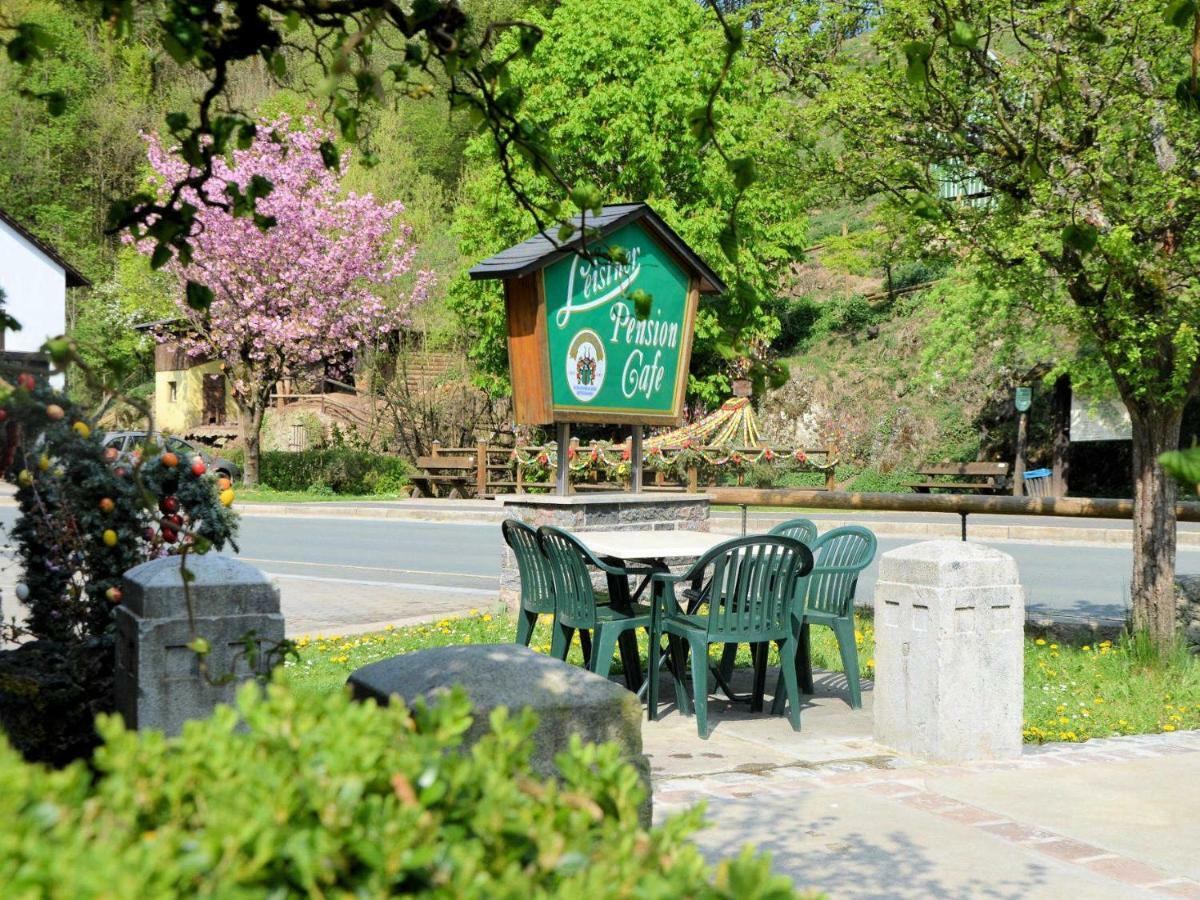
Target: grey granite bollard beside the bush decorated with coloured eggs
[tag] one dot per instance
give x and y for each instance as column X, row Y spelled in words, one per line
column 159, row 680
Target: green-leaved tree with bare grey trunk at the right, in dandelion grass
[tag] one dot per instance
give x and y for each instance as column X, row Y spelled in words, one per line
column 1057, row 145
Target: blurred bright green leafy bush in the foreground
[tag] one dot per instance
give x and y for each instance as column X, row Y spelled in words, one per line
column 334, row 799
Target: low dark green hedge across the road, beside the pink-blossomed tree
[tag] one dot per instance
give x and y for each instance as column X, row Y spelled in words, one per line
column 334, row 470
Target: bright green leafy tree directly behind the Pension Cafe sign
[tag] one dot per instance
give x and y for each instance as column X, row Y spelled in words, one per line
column 615, row 88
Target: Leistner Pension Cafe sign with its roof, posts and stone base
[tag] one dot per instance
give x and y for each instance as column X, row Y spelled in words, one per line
column 601, row 332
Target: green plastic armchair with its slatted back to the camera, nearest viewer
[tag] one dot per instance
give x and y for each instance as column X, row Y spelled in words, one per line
column 751, row 598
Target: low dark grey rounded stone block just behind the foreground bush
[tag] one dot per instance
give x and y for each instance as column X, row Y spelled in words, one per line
column 568, row 700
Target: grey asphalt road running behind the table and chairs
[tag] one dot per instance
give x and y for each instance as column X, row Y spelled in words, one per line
column 419, row 560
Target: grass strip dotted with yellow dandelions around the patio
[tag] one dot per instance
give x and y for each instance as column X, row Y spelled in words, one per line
column 1072, row 693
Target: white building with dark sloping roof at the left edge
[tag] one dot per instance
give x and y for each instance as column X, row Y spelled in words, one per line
column 35, row 280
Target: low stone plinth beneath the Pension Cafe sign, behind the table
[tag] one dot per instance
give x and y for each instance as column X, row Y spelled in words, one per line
column 599, row 513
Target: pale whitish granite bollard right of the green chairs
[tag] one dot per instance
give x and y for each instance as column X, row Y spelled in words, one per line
column 950, row 633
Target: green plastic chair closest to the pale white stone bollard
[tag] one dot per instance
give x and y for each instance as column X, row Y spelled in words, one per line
column 841, row 555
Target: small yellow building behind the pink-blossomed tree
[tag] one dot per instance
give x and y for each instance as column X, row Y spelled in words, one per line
column 190, row 393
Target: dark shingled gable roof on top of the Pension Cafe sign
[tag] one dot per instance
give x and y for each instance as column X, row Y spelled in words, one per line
column 544, row 249
